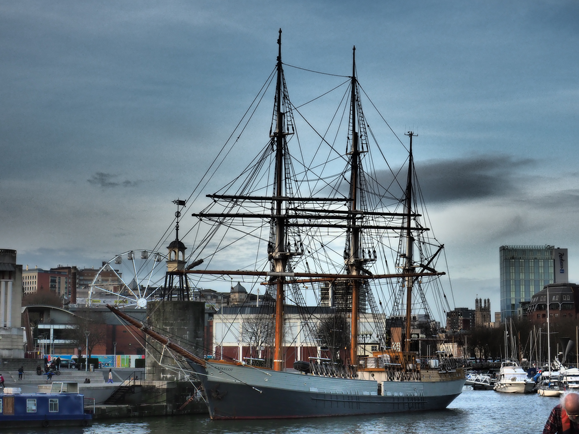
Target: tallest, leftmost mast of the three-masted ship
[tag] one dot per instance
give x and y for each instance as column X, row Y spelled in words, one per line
column 279, row 258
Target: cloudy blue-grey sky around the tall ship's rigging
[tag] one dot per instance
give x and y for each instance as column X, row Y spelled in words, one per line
column 111, row 110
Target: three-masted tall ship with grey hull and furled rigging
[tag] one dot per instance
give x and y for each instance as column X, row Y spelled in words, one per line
column 324, row 216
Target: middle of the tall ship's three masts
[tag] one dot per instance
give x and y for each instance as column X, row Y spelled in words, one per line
column 354, row 253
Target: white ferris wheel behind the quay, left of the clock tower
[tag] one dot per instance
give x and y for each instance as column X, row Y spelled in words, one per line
column 129, row 280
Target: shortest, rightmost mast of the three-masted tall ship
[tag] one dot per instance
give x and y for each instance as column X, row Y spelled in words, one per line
column 408, row 267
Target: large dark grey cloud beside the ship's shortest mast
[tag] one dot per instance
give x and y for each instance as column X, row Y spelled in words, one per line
column 467, row 178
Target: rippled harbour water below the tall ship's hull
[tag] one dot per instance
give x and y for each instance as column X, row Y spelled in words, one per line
column 483, row 411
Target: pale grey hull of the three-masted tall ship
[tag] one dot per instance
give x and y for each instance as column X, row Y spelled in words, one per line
column 241, row 392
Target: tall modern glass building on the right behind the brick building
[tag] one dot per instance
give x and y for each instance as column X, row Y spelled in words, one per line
column 525, row 270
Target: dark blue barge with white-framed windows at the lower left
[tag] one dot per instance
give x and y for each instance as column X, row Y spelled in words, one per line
column 65, row 408
